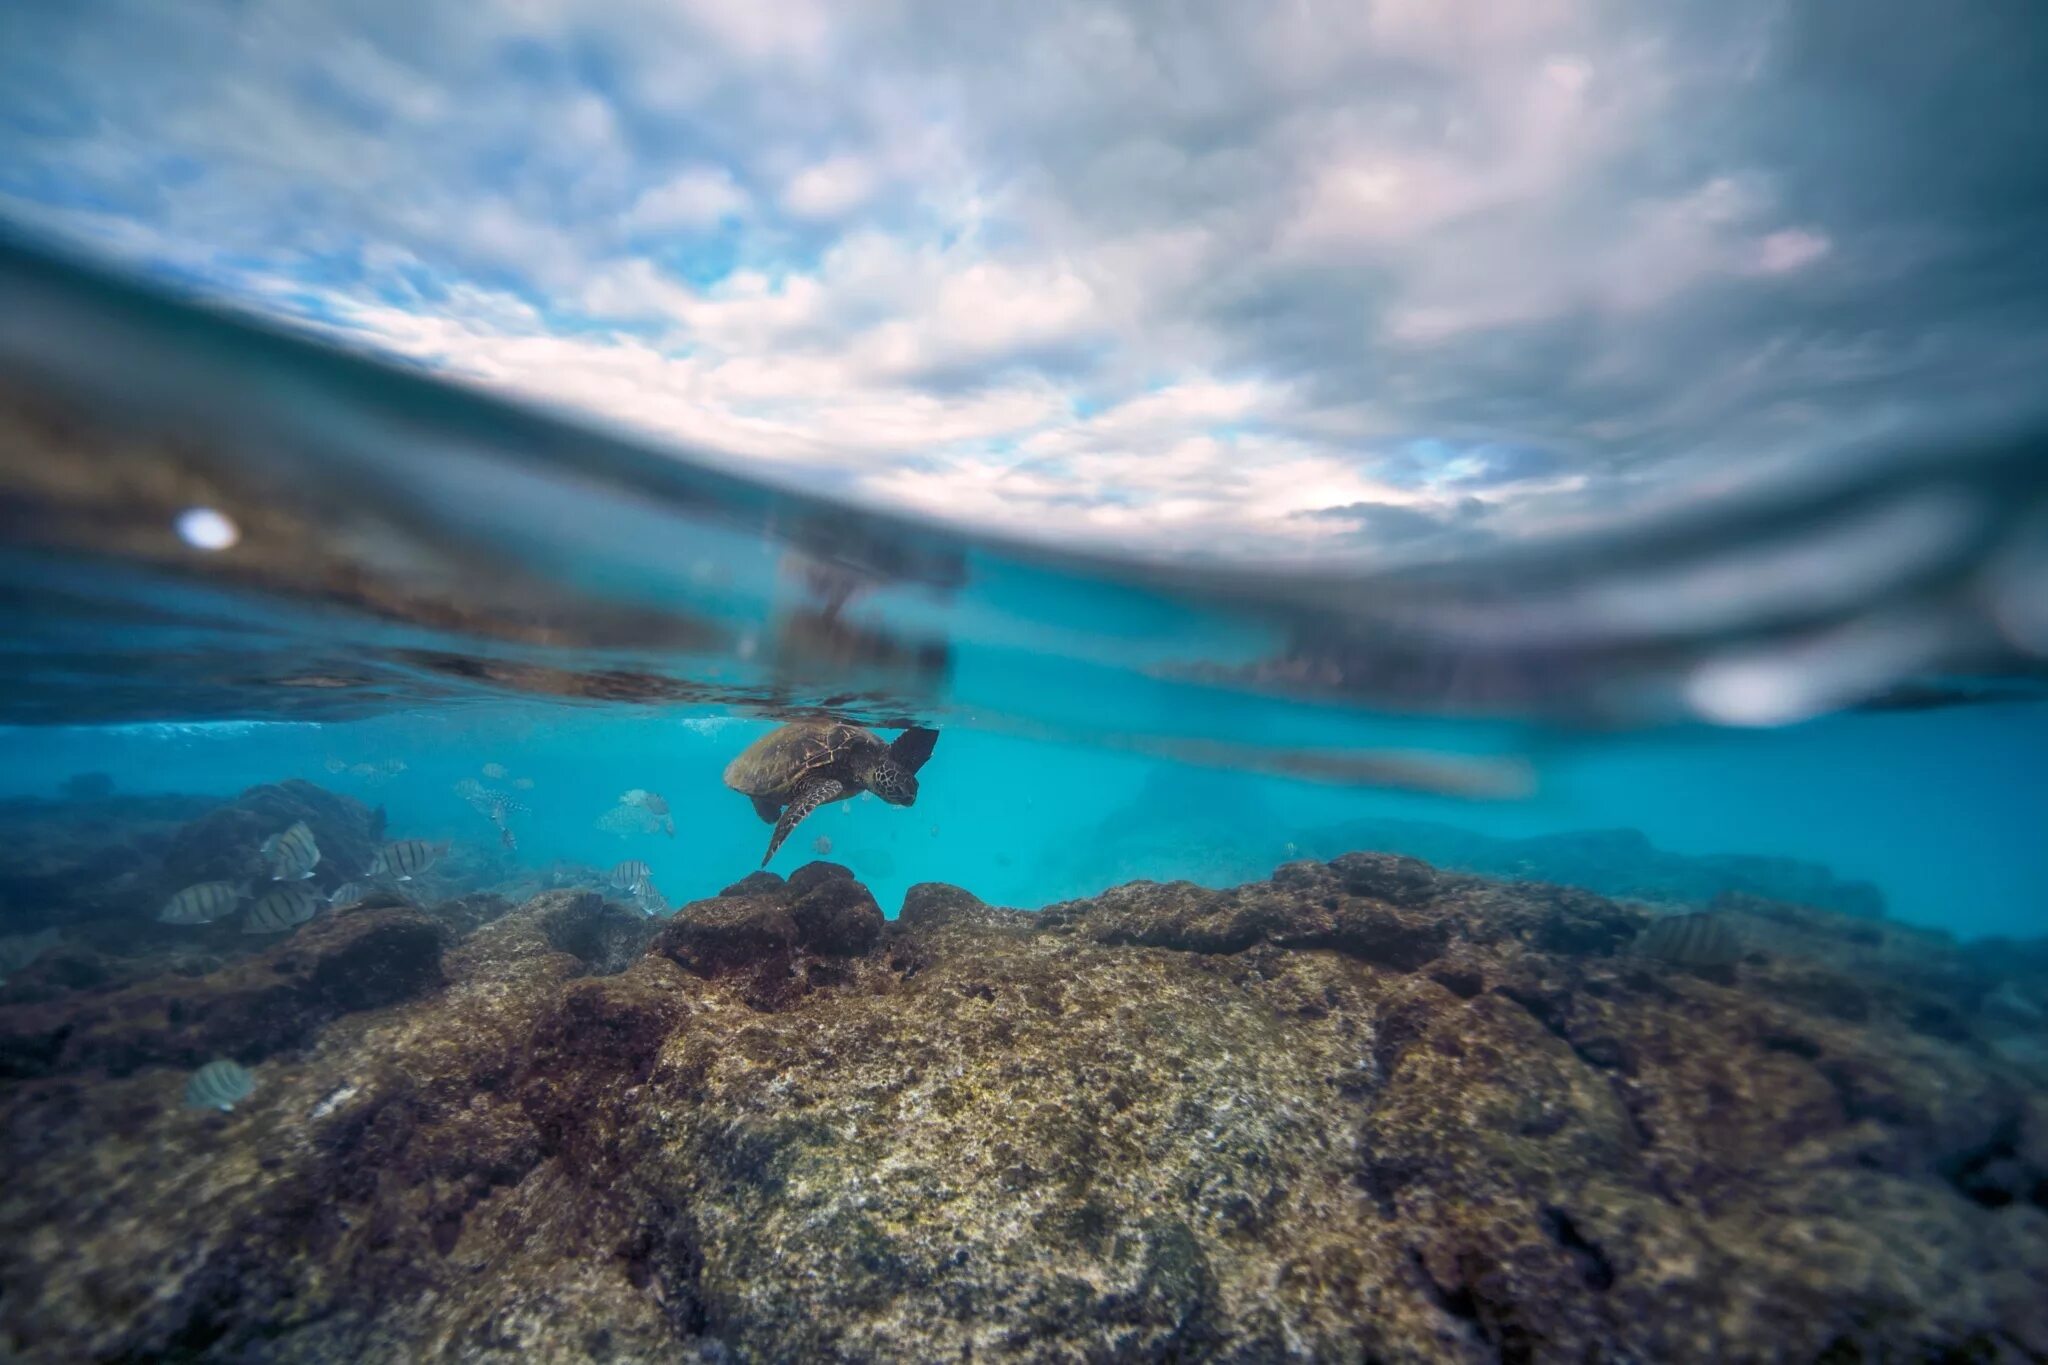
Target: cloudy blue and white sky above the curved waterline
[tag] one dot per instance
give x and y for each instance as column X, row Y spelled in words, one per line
column 1383, row 277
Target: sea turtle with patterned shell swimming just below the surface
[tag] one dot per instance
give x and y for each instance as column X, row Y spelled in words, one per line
column 800, row 766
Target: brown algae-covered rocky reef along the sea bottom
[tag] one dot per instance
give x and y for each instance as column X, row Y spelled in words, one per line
column 1359, row 1110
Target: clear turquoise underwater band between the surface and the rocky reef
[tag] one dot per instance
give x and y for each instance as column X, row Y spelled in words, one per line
column 1943, row 811
